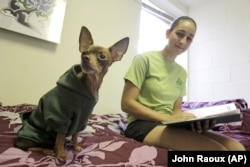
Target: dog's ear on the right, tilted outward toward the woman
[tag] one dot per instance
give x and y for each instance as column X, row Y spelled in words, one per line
column 118, row 49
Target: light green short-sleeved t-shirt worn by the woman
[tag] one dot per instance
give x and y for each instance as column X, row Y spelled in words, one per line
column 160, row 81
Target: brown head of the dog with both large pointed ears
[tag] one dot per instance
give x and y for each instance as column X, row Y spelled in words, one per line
column 97, row 59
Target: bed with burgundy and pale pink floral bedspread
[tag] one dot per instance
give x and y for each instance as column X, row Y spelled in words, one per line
column 103, row 140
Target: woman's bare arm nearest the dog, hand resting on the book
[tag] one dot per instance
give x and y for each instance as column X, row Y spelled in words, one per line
column 130, row 105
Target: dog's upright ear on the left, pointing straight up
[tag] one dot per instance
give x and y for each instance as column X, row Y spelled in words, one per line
column 85, row 39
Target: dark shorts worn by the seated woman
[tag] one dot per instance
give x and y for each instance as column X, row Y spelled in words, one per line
column 139, row 129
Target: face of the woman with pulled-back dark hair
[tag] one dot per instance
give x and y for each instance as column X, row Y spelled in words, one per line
column 181, row 36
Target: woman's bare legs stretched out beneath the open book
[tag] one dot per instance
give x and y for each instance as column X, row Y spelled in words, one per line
column 181, row 139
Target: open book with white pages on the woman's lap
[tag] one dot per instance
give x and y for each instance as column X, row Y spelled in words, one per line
column 221, row 114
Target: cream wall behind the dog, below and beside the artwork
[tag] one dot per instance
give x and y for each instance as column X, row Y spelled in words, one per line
column 30, row 67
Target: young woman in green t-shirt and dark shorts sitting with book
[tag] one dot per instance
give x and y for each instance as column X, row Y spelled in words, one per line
column 153, row 91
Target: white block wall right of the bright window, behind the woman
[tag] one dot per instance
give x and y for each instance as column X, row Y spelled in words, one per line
column 219, row 58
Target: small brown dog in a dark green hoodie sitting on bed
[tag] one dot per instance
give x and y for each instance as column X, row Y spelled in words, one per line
column 64, row 110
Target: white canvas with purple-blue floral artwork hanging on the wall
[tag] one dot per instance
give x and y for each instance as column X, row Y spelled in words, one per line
column 41, row 19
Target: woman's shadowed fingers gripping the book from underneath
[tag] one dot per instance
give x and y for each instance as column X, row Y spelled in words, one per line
column 201, row 127
